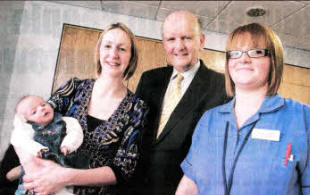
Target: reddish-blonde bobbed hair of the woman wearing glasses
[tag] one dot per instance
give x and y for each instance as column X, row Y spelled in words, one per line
column 273, row 45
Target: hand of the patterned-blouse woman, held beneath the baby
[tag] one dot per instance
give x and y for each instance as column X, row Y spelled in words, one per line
column 43, row 176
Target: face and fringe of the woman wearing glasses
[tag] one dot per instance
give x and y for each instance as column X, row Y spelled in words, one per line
column 248, row 71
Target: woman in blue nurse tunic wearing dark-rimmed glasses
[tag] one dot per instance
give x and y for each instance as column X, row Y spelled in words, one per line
column 258, row 143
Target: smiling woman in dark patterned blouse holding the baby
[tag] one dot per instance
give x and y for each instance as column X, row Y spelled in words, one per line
column 112, row 119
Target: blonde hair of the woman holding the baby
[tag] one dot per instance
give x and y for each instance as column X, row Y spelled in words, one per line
column 132, row 65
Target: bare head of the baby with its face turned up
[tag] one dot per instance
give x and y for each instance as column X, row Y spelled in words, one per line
column 35, row 109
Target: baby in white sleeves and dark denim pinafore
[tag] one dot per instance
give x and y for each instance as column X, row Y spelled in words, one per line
column 46, row 134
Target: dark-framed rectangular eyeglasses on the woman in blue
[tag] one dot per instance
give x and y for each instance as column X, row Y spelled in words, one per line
column 253, row 53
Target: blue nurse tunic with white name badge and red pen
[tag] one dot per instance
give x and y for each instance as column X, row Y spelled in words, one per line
column 269, row 154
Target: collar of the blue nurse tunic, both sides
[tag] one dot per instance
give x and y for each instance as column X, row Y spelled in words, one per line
column 270, row 104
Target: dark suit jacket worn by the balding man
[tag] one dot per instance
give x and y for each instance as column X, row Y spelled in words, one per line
column 159, row 171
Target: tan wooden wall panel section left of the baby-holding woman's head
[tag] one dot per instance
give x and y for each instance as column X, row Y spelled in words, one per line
column 76, row 55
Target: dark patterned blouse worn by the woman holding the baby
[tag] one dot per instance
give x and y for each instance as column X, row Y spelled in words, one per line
column 114, row 143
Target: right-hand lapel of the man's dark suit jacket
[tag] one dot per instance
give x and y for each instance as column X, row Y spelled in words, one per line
column 188, row 102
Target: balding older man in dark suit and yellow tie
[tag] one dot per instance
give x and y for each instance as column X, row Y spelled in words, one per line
column 177, row 95
